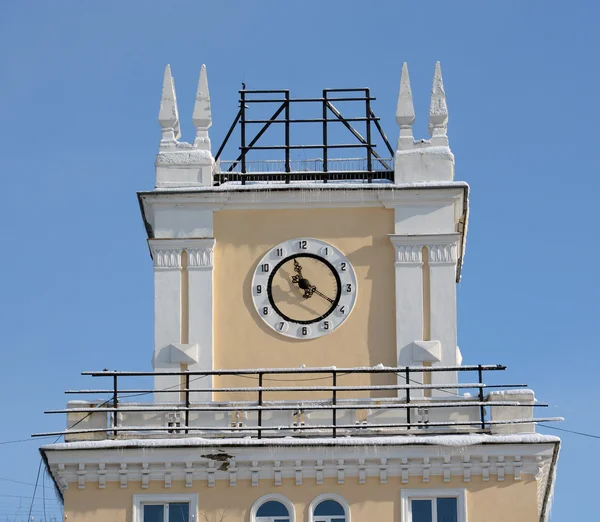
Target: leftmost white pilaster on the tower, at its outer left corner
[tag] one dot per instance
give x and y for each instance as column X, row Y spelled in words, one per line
column 167, row 313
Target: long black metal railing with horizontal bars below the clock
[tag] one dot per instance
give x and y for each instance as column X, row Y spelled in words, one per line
column 247, row 418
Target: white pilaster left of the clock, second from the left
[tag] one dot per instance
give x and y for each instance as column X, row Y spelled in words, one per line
column 200, row 278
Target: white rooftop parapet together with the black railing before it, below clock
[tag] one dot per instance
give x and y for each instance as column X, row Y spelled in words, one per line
column 328, row 409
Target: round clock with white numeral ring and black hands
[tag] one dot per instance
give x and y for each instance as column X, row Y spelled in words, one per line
column 304, row 288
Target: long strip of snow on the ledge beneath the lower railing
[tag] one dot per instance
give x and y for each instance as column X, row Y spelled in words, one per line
column 408, row 440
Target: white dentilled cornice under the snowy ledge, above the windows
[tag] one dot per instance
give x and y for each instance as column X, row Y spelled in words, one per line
column 345, row 464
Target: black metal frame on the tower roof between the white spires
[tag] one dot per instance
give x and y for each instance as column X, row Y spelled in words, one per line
column 283, row 102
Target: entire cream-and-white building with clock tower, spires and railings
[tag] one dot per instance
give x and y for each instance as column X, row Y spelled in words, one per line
column 306, row 365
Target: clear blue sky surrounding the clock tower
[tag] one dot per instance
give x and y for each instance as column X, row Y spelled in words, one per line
column 80, row 88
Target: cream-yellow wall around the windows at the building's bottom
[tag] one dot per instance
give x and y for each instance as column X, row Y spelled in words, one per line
column 486, row 501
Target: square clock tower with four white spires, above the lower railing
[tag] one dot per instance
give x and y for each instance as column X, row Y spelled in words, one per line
column 256, row 272
